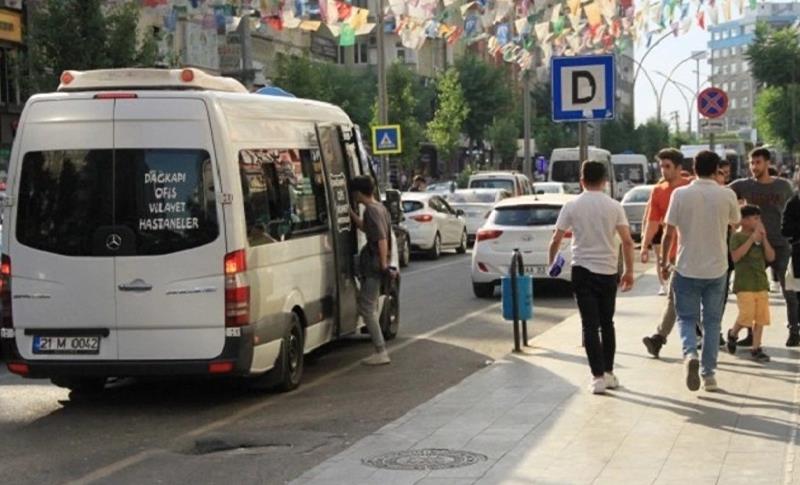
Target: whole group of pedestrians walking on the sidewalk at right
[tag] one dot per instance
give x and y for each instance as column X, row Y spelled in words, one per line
column 705, row 229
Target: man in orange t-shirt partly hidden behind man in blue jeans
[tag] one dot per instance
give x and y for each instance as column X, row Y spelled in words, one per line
column 671, row 161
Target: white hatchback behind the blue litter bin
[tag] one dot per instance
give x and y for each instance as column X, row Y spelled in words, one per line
column 525, row 223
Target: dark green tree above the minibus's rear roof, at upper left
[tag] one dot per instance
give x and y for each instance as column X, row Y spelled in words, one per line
column 82, row 35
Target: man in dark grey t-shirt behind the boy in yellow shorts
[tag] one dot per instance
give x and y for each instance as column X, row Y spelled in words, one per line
column 771, row 194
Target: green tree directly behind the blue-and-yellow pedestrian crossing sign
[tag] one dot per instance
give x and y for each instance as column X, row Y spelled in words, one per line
column 400, row 84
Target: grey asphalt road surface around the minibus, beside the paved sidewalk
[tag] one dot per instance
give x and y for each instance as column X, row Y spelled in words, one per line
column 179, row 431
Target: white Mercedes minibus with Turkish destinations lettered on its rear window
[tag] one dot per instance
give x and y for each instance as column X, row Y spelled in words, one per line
column 167, row 222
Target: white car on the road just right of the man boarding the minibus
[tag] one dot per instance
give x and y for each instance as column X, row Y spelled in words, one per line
column 433, row 225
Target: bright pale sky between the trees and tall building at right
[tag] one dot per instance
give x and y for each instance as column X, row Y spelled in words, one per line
column 663, row 58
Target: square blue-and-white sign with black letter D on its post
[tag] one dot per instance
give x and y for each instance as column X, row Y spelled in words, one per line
column 583, row 90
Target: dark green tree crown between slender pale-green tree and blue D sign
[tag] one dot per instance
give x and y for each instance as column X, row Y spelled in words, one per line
column 487, row 92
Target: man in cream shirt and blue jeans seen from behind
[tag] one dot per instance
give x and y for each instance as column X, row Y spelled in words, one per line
column 700, row 215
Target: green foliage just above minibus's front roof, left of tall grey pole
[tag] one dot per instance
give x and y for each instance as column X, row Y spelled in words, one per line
column 352, row 90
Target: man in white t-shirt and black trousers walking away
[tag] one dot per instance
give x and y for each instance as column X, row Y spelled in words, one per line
column 595, row 219
